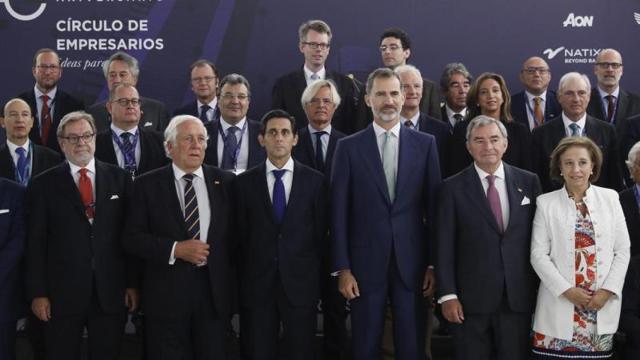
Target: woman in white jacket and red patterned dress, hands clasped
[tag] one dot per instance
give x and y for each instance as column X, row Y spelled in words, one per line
column 580, row 251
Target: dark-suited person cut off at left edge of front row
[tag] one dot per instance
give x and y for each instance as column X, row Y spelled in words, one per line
column 12, row 238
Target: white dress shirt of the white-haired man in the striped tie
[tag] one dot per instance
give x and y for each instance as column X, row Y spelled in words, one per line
column 202, row 196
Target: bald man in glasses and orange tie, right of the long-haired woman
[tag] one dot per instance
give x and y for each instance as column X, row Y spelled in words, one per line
column 536, row 104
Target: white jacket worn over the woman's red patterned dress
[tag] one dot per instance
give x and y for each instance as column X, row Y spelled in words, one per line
column 553, row 258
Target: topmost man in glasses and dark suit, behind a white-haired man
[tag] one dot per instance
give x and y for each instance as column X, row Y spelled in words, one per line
column 315, row 42
